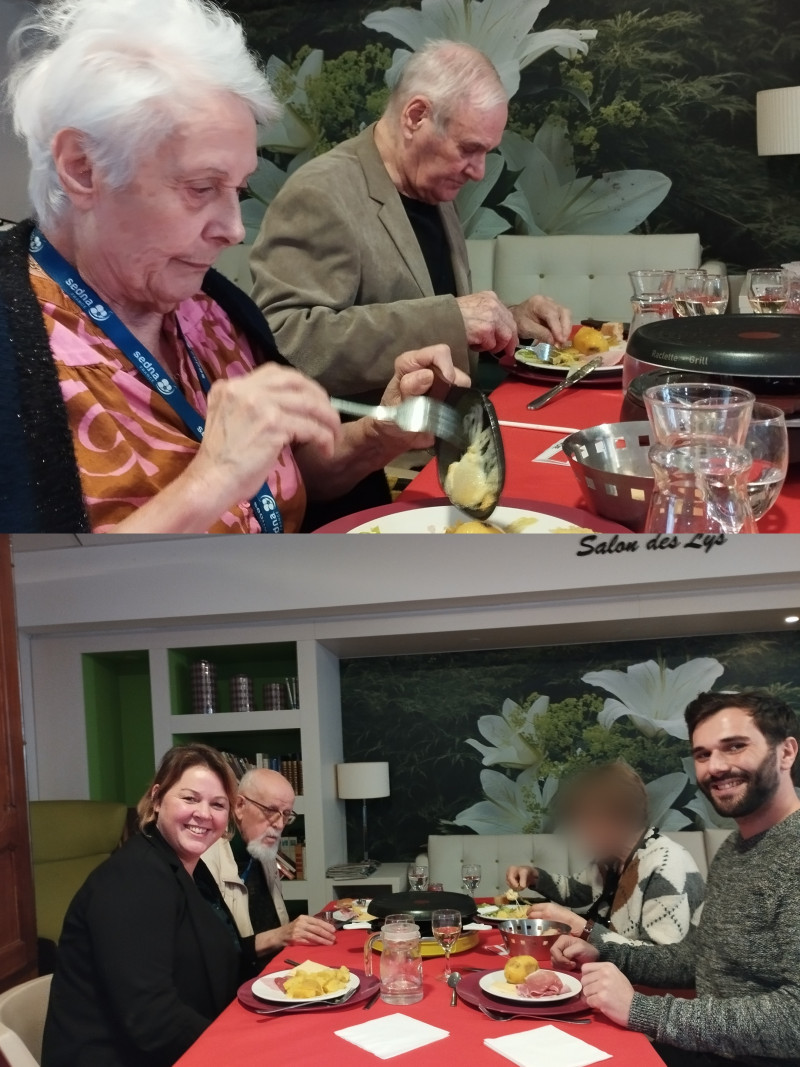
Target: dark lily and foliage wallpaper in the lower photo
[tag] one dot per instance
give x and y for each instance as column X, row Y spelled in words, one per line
column 477, row 742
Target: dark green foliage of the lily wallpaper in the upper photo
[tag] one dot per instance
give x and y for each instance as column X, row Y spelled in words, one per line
column 667, row 87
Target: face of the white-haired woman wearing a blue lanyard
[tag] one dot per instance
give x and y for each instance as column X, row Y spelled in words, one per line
column 150, row 244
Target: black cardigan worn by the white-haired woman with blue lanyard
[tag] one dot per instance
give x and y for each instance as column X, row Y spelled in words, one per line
column 40, row 482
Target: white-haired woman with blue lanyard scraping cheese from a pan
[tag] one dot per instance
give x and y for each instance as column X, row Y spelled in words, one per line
column 143, row 393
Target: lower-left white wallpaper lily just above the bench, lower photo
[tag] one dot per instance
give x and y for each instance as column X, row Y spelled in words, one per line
column 513, row 806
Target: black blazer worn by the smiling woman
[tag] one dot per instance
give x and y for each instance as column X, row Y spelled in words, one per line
column 145, row 964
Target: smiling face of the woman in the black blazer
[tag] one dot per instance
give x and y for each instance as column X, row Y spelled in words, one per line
column 194, row 815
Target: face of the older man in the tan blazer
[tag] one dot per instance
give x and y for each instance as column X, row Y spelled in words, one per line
column 441, row 163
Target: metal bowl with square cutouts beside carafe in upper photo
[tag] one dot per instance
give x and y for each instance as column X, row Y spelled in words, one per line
column 612, row 466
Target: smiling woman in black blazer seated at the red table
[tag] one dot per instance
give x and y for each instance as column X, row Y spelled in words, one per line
column 150, row 954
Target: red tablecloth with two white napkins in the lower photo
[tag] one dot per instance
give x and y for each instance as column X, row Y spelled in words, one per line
column 241, row 1038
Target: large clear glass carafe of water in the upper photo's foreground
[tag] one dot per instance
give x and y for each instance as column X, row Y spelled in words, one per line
column 699, row 459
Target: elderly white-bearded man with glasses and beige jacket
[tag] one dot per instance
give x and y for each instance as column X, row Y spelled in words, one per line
column 246, row 869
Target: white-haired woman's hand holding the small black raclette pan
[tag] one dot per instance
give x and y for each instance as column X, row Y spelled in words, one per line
column 428, row 372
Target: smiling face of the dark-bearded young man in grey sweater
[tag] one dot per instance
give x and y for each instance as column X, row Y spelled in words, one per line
column 738, row 769
